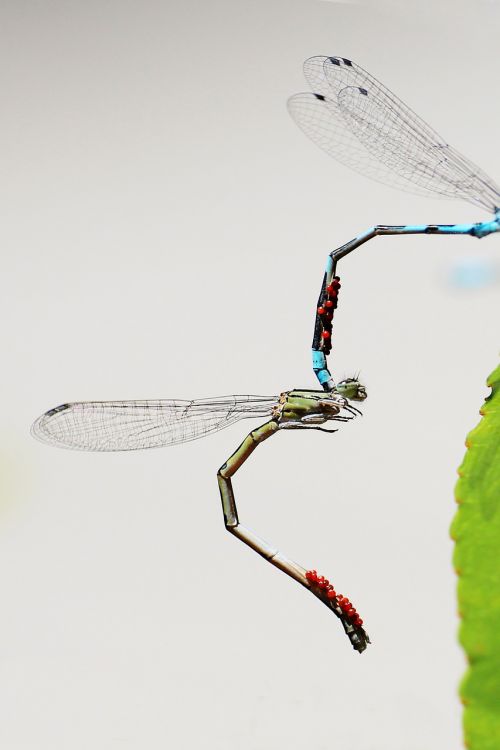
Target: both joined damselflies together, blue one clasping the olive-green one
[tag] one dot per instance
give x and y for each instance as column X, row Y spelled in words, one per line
column 361, row 123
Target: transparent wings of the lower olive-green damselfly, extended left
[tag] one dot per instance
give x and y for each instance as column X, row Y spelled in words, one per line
column 130, row 425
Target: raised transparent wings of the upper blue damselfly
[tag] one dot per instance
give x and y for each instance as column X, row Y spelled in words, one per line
column 359, row 122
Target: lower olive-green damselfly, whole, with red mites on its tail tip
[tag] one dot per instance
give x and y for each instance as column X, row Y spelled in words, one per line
column 132, row 425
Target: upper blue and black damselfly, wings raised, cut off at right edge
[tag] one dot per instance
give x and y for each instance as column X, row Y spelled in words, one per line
column 362, row 124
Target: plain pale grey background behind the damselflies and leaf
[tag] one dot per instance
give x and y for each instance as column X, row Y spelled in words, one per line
column 164, row 229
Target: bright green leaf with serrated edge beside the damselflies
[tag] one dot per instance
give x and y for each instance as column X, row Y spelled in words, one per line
column 476, row 531
